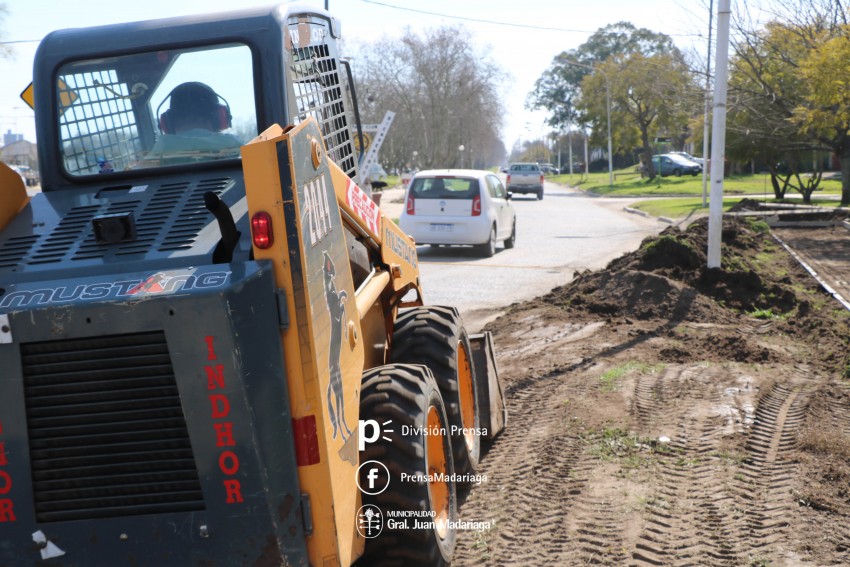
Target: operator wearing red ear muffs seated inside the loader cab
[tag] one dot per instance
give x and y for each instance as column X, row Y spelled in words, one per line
column 194, row 122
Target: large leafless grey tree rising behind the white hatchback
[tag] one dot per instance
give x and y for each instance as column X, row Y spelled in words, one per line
column 445, row 94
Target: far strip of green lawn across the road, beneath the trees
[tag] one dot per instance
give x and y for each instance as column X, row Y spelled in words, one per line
column 629, row 183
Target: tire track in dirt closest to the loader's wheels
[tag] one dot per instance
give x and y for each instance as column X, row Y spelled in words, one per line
column 531, row 465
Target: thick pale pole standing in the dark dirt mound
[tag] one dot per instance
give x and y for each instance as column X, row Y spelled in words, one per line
column 718, row 138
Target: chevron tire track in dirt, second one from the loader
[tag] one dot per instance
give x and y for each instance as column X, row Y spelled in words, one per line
column 686, row 519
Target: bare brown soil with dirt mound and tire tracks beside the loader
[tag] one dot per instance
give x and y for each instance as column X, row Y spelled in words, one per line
column 661, row 413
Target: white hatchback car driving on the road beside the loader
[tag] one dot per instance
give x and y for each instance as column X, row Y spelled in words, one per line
column 459, row 206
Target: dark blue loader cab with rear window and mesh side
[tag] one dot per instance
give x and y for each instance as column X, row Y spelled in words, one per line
column 135, row 101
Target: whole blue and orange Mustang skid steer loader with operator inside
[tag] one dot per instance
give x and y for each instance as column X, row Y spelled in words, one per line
column 213, row 345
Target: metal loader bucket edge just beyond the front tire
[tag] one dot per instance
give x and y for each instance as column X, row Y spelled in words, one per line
column 491, row 400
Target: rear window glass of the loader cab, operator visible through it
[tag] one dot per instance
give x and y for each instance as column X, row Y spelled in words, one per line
column 156, row 108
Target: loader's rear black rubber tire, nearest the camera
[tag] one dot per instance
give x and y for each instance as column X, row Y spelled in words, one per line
column 404, row 394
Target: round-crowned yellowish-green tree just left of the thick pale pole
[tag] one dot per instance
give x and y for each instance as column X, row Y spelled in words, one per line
column 650, row 95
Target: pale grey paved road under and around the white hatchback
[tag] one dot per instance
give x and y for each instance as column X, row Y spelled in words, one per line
column 566, row 232
